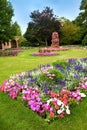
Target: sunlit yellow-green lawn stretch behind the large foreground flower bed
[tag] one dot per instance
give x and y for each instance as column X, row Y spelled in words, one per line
column 24, row 61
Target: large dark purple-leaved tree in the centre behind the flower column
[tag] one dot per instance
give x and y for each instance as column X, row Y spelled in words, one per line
column 42, row 25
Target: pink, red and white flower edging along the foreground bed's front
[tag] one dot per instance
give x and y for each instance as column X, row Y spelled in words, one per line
column 58, row 104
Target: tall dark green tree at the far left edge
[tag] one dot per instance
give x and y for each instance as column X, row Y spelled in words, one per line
column 6, row 13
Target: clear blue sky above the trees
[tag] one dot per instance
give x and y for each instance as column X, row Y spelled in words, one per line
column 61, row 8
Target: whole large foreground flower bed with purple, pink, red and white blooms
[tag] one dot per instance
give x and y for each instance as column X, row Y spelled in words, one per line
column 50, row 90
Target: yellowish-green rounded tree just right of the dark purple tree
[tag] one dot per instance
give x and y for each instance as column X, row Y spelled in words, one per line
column 70, row 33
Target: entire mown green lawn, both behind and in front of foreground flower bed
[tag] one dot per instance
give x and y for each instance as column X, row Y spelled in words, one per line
column 14, row 115
